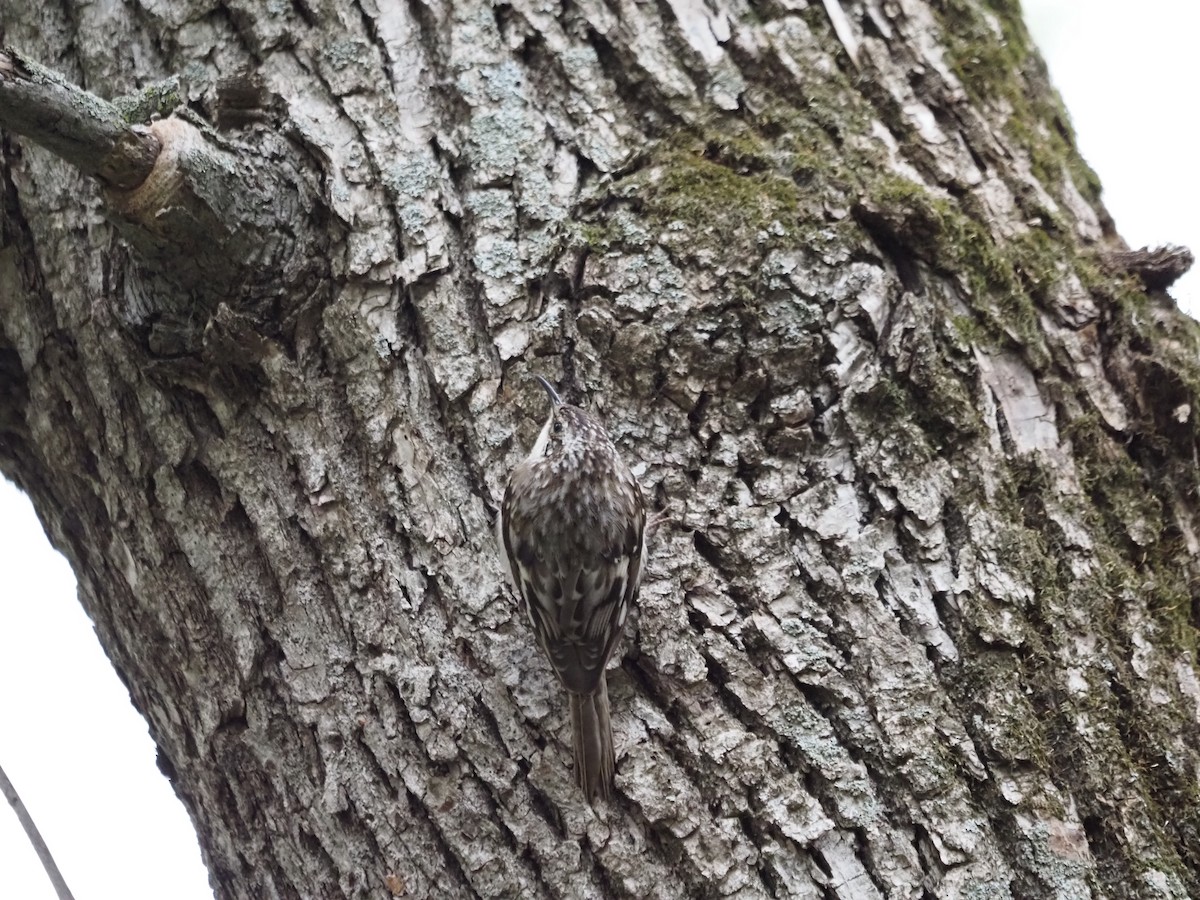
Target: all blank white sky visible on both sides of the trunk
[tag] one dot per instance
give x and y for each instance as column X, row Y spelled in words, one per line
column 81, row 757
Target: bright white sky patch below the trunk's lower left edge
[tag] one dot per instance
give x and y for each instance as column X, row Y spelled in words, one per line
column 74, row 747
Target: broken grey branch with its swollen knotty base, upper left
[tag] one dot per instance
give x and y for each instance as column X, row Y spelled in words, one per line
column 217, row 223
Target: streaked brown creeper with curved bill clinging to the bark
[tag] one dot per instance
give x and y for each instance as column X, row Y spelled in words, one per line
column 573, row 533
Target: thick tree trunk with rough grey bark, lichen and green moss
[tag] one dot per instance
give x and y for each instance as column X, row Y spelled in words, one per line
column 921, row 619
